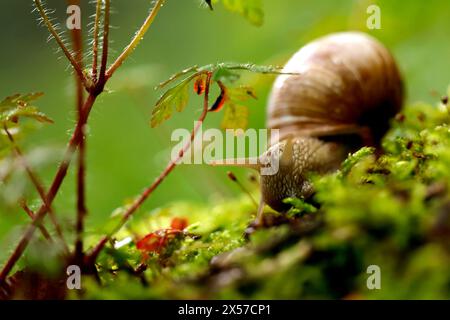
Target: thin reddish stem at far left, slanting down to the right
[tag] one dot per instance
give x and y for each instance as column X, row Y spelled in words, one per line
column 38, row 186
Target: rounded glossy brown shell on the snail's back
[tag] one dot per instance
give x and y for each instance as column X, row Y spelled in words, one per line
column 346, row 81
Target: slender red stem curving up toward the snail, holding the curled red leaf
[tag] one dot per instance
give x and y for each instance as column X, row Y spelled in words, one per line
column 169, row 168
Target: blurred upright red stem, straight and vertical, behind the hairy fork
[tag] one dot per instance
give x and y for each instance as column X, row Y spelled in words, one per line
column 81, row 161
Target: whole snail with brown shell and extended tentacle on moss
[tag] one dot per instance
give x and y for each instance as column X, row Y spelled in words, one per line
column 336, row 94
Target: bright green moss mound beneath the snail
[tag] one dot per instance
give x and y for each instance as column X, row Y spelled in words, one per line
column 392, row 211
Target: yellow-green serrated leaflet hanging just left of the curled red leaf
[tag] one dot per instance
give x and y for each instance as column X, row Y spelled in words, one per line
column 176, row 98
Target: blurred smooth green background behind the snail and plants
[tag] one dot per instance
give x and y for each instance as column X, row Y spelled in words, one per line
column 124, row 153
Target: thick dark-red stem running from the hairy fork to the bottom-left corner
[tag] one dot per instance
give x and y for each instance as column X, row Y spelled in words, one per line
column 51, row 194
